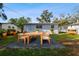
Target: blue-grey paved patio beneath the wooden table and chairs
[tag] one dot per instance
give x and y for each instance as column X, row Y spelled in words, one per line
column 35, row 43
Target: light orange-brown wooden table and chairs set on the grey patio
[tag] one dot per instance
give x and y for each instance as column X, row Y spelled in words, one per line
column 26, row 37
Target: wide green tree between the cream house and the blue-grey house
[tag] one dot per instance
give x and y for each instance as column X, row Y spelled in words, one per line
column 20, row 22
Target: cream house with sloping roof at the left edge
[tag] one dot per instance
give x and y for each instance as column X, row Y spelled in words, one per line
column 9, row 25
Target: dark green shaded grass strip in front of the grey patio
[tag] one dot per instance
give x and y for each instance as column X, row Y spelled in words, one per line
column 35, row 52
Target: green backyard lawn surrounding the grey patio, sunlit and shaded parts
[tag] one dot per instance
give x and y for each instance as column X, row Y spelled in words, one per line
column 37, row 51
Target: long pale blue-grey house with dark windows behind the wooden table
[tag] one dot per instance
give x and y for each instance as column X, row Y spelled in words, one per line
column 30, row 27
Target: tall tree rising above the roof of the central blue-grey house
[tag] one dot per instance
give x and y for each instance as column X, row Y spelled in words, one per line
column 45, row 17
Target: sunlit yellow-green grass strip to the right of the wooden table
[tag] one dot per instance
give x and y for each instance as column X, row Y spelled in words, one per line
column 64, row 36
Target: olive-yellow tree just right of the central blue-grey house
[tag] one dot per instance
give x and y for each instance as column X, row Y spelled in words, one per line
column 63, row 21
